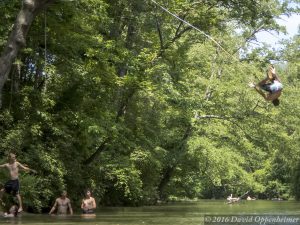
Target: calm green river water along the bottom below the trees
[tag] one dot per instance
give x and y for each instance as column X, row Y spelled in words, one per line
column 188, row 213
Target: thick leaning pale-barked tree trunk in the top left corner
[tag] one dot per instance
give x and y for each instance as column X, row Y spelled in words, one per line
column 17, row 37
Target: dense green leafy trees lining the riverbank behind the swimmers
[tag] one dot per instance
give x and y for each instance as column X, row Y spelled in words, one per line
column 139, row 107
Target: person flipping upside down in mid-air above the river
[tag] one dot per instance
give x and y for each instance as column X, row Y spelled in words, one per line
column 271, row 84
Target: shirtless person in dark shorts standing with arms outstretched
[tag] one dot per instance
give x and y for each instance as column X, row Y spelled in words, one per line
column 13, row 186
